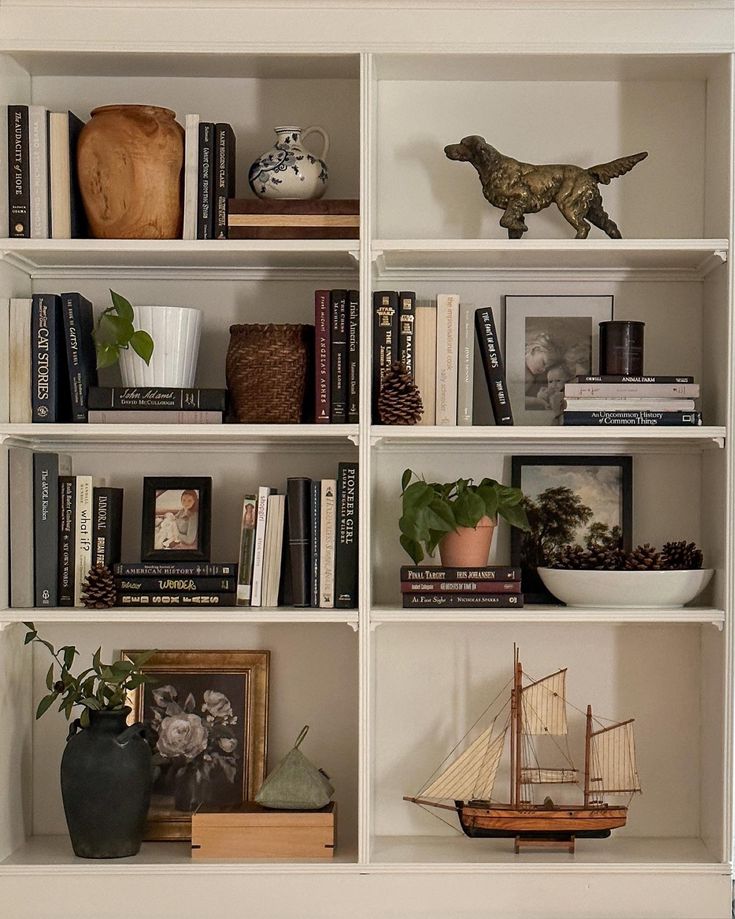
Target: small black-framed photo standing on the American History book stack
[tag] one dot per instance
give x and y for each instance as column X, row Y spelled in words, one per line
column 177, row 514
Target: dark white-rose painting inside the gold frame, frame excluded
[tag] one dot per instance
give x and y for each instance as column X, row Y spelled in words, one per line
column 196, row 724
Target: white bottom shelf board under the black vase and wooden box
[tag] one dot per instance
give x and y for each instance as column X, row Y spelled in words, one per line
column 53, row 855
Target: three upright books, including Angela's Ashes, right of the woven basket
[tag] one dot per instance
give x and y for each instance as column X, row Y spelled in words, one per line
column 337, row 356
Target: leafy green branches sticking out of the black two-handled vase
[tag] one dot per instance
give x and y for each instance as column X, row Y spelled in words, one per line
column 101, row 687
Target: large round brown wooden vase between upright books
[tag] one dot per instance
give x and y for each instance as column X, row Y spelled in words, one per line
column 129, row 160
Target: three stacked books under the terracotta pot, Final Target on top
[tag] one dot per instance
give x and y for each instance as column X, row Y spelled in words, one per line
column 492, row 586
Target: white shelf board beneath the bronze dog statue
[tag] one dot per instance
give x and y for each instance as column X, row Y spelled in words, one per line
column 691, row 258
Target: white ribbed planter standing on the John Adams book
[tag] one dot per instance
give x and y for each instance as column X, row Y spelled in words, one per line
column 175, row 331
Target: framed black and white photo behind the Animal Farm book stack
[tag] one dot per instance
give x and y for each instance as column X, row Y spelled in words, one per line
column 549, row 340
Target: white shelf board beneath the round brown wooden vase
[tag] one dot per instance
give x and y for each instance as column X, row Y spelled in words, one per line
column 91, row 257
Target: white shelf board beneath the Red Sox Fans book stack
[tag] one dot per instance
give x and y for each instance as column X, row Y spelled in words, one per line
column 210, row 614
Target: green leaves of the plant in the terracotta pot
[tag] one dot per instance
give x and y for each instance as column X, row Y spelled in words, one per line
column 433, row 509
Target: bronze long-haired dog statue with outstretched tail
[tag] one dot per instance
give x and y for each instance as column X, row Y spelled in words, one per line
column 522, row 188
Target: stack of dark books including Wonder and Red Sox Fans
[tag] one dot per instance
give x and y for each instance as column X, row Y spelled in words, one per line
column 175, row 584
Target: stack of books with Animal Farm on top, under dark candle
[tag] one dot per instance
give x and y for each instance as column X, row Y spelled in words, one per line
column 624, row 400
